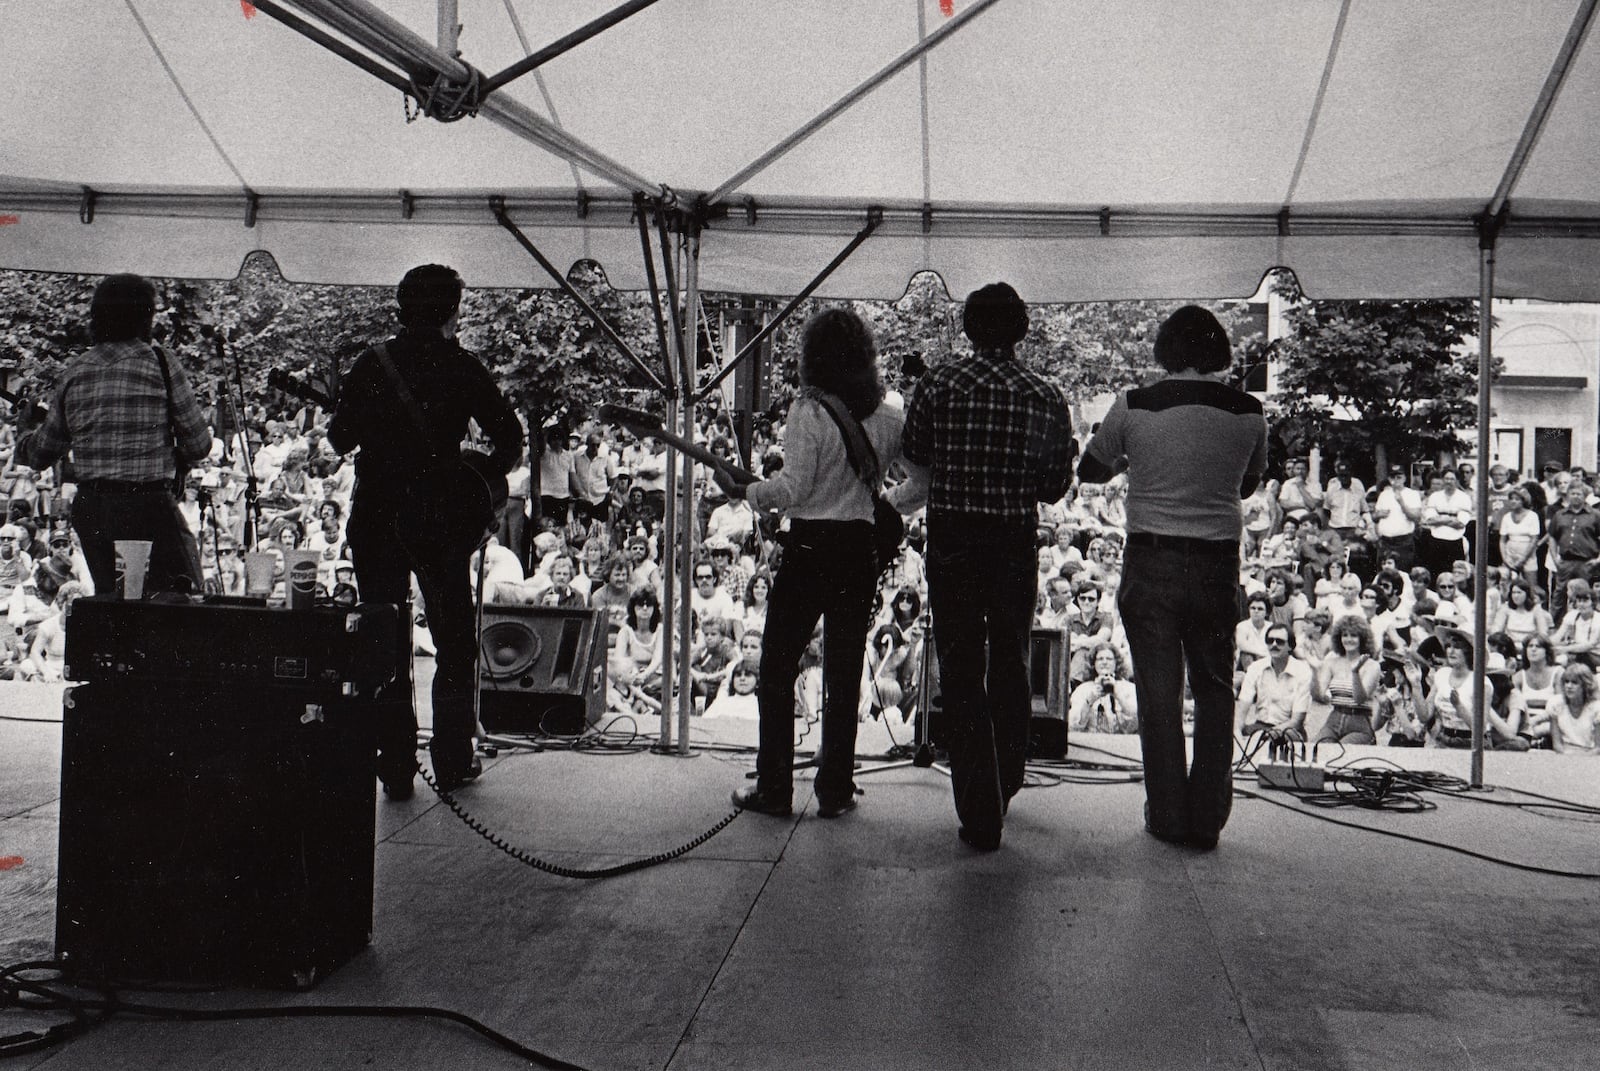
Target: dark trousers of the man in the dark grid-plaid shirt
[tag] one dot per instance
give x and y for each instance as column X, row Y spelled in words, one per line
column 983, row 580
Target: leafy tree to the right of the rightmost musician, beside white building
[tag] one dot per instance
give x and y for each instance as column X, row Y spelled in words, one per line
column 1385, row 380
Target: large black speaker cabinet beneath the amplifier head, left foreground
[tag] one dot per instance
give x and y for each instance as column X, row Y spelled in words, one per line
column 215, row 833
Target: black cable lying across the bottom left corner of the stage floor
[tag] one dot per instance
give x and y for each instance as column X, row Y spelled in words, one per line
column 87, row 1013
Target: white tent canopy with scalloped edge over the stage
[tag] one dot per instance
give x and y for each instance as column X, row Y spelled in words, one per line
column 1081, row 151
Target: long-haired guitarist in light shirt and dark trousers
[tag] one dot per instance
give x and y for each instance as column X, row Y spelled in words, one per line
column 831, row 564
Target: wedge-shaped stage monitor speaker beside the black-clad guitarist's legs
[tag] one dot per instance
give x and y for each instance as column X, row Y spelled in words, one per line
column 543, row 670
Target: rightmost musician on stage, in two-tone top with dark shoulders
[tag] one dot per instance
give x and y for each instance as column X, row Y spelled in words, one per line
column 1193, row 449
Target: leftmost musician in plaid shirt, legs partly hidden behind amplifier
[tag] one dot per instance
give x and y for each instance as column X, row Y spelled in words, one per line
column 127, row 433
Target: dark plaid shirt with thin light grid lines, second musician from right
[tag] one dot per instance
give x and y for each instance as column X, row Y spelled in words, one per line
column 996, row 438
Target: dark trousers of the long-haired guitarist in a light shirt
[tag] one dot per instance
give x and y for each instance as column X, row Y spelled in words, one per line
column 830, row 572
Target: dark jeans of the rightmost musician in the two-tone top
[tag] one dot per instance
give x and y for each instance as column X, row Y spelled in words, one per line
column 1178, row 608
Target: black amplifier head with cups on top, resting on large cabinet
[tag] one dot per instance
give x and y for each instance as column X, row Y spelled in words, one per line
column 350, row 651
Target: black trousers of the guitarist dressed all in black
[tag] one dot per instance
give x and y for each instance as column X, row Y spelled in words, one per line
column 383, row 572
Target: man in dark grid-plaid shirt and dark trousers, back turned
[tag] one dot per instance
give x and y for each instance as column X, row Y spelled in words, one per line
column 986, row 441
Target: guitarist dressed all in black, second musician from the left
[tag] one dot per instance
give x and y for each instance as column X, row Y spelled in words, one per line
column 422, row 505
